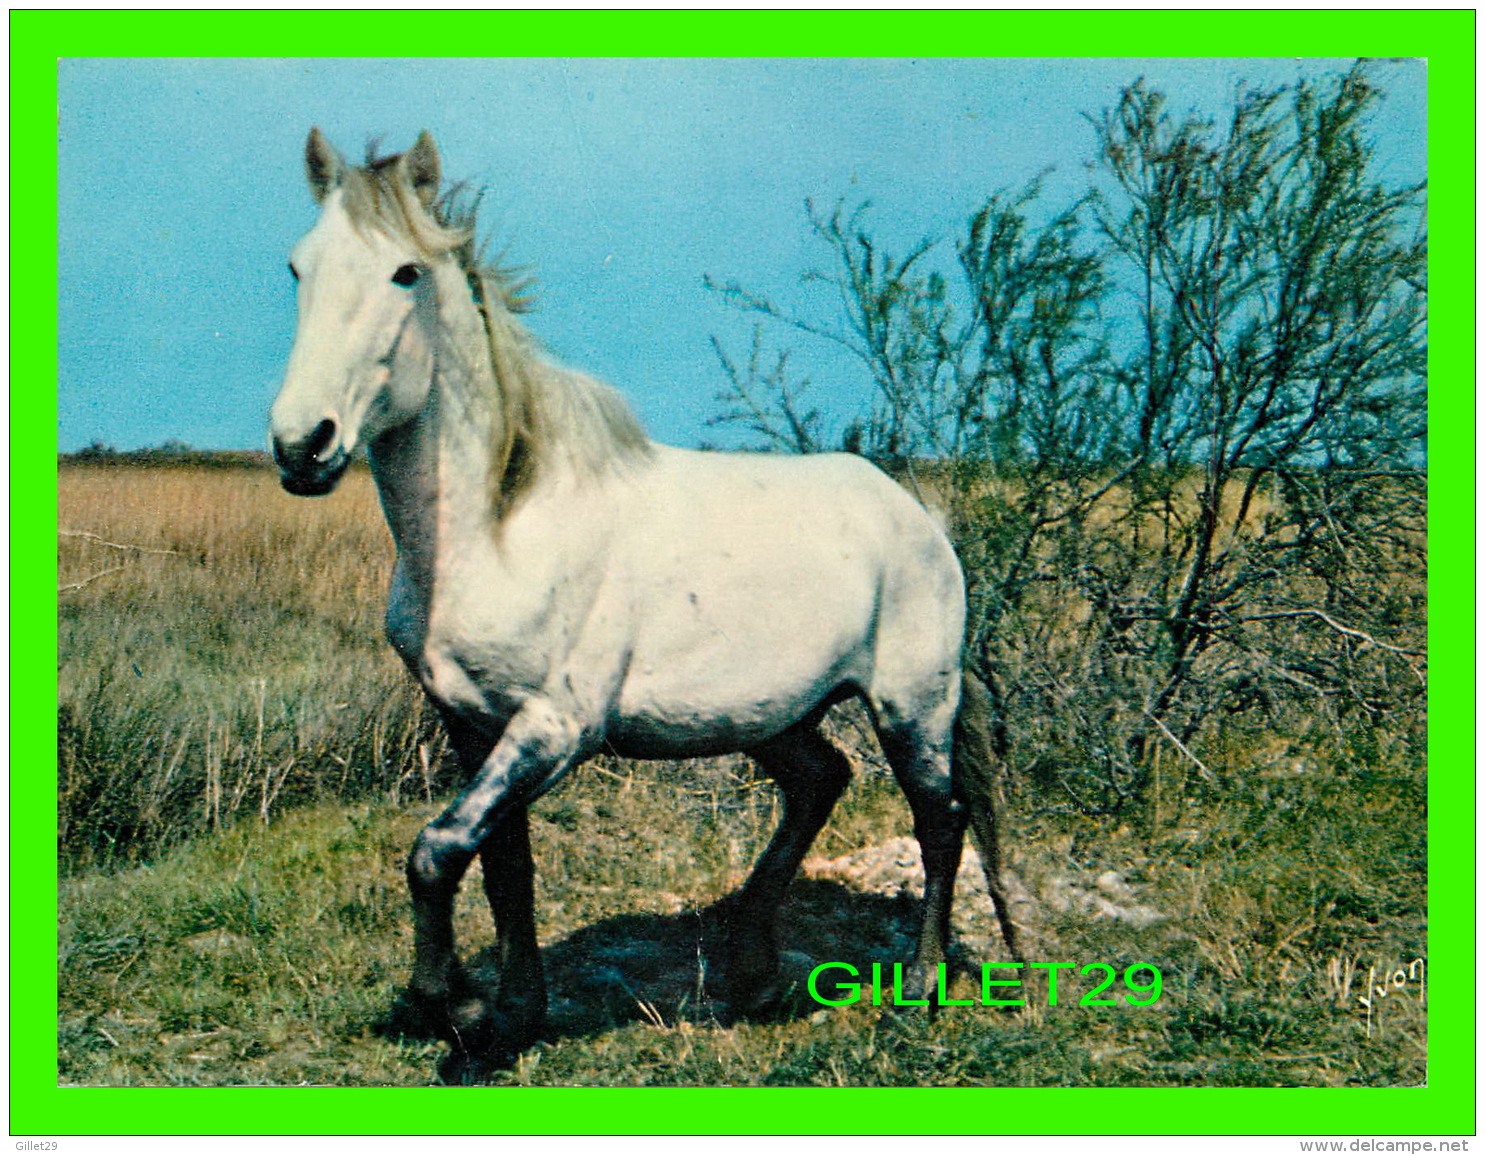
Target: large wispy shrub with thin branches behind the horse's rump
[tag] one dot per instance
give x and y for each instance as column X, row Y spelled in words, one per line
column 1178, row 430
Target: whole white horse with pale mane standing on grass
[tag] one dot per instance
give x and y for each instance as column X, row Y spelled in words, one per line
column 565, row 586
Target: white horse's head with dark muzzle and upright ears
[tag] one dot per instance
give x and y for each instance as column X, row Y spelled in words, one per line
column 368, row 311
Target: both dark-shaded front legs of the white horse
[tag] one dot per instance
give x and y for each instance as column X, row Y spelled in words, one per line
column 538, row 746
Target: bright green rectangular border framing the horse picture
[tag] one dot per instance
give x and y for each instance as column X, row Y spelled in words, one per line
column 1447, row 1107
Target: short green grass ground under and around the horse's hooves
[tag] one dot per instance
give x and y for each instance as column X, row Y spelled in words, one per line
column 272, row 954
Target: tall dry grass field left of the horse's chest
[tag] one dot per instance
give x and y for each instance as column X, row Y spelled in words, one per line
column 222, row 655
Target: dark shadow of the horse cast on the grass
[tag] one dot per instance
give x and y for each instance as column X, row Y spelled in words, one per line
column 666, row 970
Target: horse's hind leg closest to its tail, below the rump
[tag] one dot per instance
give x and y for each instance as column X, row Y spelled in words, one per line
column 920, row 758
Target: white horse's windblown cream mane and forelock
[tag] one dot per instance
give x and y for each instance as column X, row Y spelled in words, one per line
column 546, row 412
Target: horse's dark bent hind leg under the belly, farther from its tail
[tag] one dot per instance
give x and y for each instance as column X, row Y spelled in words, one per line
column 812, row 774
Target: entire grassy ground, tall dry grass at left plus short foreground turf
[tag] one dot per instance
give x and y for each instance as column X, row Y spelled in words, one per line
column 243, row 765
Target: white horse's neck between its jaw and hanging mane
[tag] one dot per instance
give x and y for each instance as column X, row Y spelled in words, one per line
column 434, row 473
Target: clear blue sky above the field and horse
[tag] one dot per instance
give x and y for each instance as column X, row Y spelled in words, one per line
column 621, row 183
